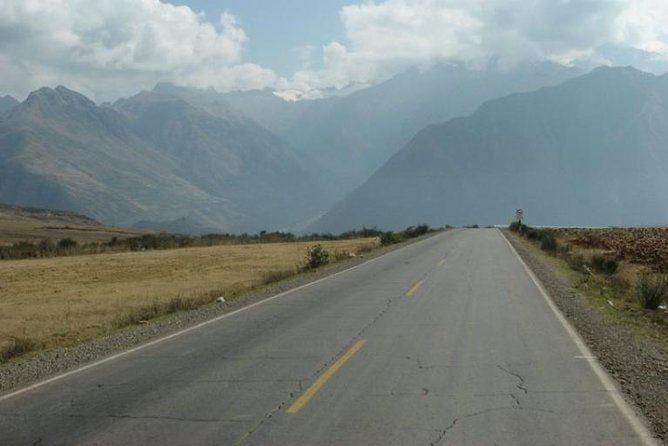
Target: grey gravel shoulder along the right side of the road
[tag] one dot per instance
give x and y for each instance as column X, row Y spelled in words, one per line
column 639, row 365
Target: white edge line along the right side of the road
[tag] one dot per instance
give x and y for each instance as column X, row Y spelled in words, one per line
column 638, row 426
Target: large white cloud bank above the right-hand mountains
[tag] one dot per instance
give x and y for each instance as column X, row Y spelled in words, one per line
column 386, row 37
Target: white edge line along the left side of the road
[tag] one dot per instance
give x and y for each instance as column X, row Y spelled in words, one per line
column 194, row 327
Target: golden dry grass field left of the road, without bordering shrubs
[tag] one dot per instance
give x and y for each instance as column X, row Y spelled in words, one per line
column 47, row 303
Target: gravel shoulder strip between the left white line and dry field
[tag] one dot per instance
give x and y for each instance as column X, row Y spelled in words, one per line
column 22, row 372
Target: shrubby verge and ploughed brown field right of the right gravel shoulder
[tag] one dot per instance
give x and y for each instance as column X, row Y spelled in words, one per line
column 625, row 287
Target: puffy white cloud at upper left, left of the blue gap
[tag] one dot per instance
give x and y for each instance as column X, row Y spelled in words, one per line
column 109, row 47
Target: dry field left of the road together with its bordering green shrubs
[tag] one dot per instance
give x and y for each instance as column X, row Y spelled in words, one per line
column 60, row 298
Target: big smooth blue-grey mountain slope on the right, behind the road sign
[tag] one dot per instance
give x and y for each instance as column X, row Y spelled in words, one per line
column 591, row 151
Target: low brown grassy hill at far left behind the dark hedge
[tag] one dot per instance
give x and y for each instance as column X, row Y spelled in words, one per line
column 33, row 225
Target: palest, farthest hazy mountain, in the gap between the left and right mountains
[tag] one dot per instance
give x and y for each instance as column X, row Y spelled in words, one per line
column 354, row 135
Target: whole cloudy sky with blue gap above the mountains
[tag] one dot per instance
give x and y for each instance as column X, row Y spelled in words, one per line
column 112, row 48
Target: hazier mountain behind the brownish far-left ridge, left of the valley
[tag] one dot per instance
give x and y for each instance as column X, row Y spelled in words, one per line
column 228, row 155
